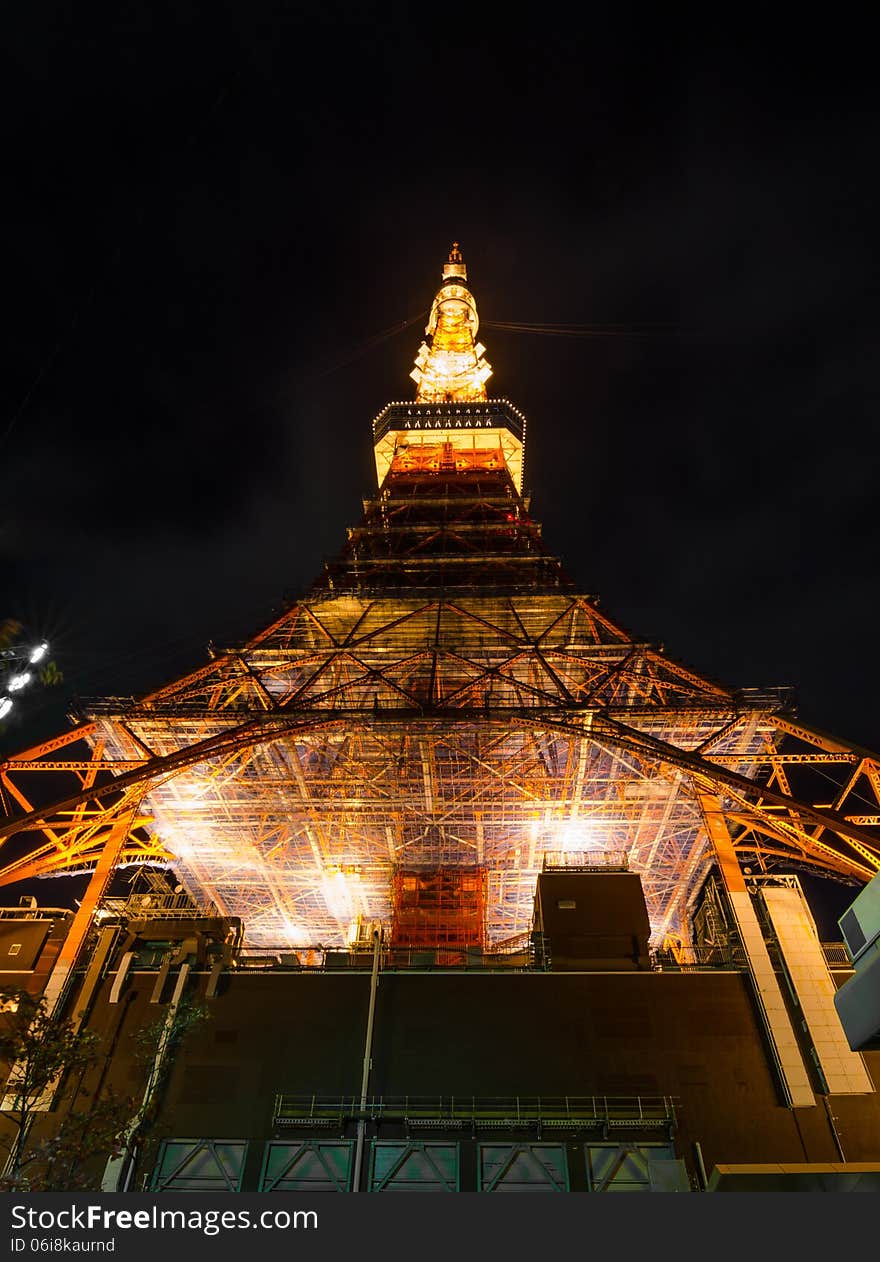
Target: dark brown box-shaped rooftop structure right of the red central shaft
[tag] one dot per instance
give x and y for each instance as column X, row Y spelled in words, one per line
column 593, row 921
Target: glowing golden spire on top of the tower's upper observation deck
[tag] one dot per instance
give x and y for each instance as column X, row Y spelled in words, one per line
column 450, row 367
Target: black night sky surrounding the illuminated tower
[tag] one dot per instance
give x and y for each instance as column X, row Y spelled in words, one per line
column 220, row 219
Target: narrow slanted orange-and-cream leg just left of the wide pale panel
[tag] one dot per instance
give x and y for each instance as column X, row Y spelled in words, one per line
column 783, row 1041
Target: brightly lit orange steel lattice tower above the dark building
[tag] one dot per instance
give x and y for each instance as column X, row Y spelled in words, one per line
column 441, row 697
